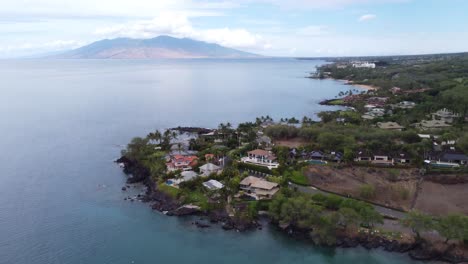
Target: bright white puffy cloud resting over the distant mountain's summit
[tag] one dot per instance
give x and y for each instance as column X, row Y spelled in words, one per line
column 179, row 25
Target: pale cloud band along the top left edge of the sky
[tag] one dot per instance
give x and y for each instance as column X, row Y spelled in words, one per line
column 117, row 9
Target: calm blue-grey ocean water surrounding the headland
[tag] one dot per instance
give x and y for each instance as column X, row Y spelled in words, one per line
column 63, row 122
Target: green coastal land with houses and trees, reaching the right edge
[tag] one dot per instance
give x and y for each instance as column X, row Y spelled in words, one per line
column 388, row 171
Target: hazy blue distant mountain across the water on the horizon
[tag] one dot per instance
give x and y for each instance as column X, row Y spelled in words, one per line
column 155, row 48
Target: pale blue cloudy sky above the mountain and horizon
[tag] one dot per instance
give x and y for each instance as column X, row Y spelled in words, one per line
column 292, row 28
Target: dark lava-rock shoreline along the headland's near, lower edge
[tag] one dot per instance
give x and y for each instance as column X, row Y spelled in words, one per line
column 162, row 202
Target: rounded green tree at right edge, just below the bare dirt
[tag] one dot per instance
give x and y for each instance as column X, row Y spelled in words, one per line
column 453, row 226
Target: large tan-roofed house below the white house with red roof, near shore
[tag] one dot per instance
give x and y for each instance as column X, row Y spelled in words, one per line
column 259, row 188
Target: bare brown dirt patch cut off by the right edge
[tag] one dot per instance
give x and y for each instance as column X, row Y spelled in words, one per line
column 440, row 199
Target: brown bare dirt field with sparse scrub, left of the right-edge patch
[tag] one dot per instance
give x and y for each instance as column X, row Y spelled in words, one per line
column 392, row 187
